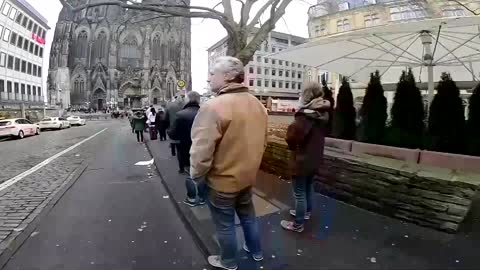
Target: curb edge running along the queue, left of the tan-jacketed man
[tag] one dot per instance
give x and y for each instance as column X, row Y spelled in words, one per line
column 207, row 246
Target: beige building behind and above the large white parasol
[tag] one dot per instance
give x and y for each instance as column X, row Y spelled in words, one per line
column 330, row 17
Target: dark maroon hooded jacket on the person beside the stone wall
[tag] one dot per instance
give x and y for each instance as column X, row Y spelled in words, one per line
column 306, row 140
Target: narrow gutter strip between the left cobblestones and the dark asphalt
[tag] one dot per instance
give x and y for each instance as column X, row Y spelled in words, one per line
column 16, row 239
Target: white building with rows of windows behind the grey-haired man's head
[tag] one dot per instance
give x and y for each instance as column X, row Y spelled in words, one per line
column 270, row 79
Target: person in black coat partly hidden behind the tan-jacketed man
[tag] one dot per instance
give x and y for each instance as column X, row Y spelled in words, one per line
column 181, row 131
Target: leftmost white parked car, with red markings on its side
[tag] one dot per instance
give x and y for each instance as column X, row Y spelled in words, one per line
column 18, row 127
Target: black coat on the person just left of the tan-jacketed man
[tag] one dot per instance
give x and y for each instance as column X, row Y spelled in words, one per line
column 182, row 126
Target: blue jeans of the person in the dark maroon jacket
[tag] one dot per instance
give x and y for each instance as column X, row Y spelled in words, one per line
column 302, row 190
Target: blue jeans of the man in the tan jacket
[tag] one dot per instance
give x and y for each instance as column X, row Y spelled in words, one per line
column 223, row 207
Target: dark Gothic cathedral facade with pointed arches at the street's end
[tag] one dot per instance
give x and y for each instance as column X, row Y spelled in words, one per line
column 108, row 57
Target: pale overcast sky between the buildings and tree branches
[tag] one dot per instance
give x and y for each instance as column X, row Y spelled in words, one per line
column 204, row 32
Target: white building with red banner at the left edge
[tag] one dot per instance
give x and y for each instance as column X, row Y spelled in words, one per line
column 22, row 45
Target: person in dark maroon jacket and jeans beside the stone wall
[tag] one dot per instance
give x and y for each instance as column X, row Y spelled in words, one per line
column 306, row 139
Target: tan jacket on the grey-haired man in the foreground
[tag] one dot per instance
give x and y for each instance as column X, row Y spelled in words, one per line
column 229, row 136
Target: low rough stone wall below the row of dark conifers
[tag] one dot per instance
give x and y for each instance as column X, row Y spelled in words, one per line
column 437, row 198
